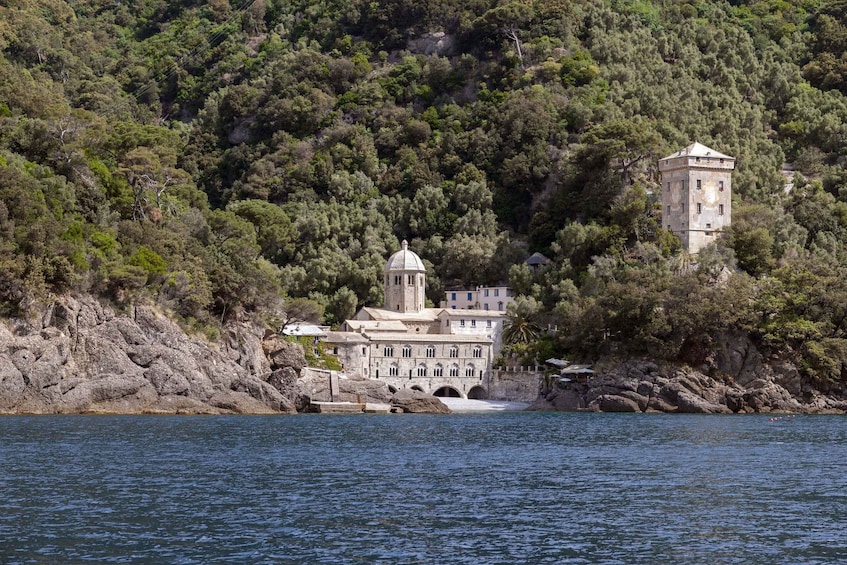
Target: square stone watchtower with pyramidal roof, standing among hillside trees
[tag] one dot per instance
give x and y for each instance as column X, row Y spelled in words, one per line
column 696, row 194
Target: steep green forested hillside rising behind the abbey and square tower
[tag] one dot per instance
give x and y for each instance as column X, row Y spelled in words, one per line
column 229, row 159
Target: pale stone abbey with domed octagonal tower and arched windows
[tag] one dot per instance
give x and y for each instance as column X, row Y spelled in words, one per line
column 442, row 351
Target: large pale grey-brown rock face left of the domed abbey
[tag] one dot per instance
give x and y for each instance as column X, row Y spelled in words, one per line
column 83, row 357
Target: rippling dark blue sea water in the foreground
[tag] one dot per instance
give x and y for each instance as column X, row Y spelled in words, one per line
column 465, row 488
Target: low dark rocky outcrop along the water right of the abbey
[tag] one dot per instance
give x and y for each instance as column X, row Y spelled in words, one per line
column 642, row 387
